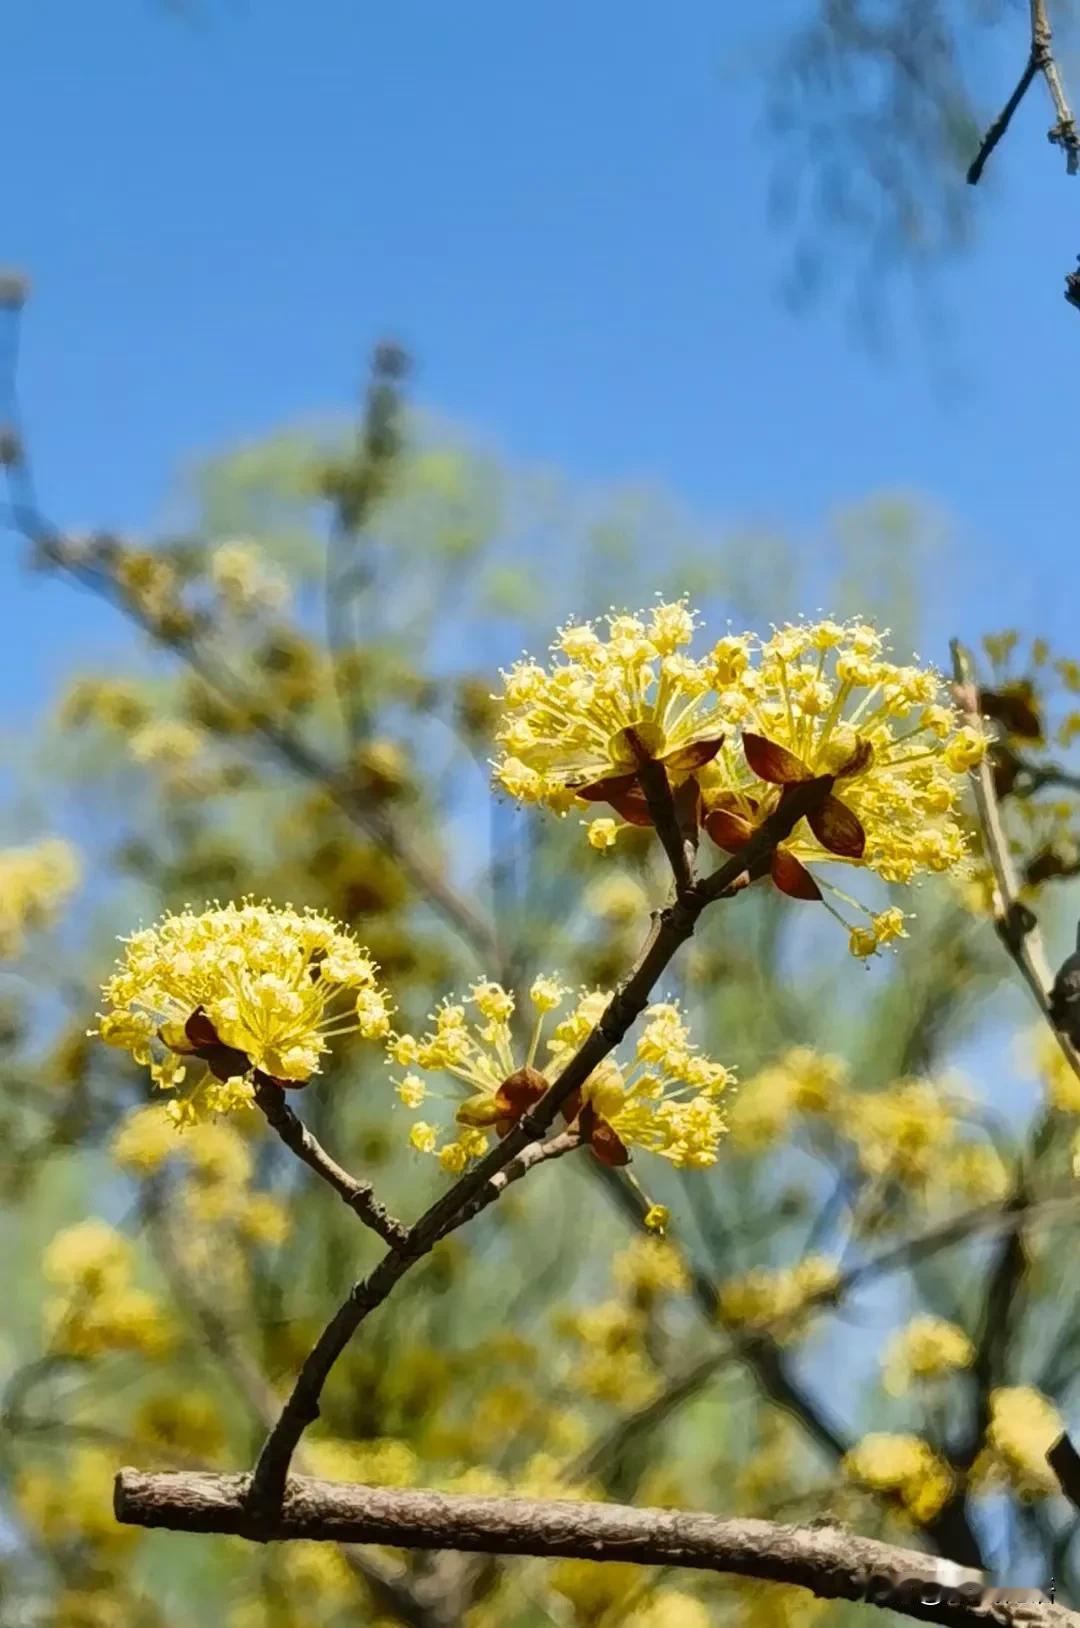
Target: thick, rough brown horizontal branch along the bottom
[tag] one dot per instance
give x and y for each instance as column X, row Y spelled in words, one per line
column 832, row 1562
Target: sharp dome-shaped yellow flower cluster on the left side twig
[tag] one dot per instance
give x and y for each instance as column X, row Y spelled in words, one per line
column 235, row 991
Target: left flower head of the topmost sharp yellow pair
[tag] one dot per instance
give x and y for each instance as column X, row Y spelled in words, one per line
column 605, row 707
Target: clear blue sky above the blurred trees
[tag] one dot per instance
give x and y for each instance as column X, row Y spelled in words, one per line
column 563, row 212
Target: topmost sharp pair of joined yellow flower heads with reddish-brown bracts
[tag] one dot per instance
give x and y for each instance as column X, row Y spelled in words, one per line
column 744, row 724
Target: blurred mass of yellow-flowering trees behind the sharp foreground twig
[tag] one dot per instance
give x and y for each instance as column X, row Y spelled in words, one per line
column 307, row 716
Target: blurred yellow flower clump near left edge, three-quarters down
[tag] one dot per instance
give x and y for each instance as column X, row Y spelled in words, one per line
column 99, row 1310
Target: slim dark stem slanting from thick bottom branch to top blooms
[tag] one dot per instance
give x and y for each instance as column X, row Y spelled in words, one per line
column 672, row 929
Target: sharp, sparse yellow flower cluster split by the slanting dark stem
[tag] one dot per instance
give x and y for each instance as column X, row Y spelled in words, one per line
column 664, row 1100
